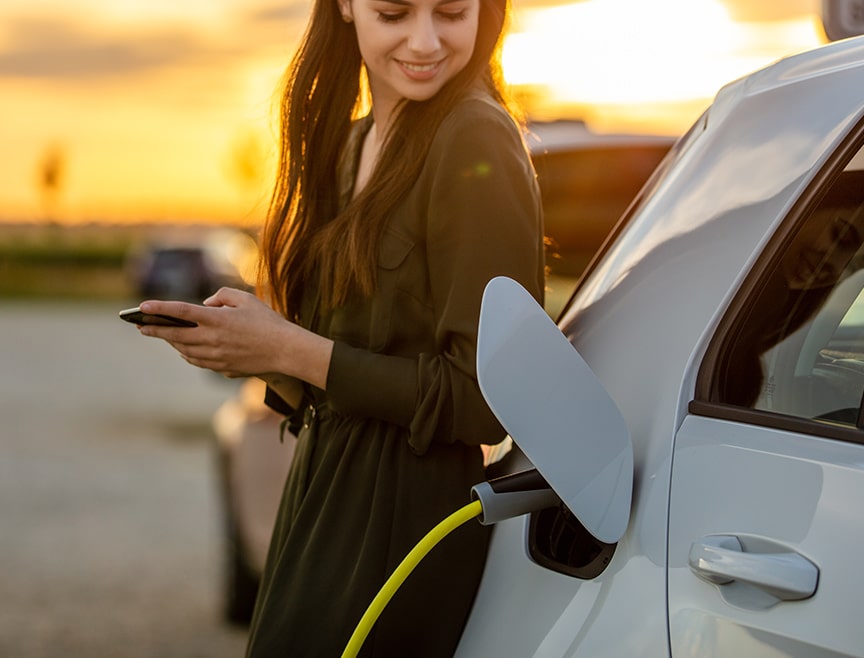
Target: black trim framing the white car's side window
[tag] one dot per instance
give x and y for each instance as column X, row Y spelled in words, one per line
column 705, row 402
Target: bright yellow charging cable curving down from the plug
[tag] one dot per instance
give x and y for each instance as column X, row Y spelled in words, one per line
column 448, row 525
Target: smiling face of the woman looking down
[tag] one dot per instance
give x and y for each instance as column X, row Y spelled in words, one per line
column 412, row 48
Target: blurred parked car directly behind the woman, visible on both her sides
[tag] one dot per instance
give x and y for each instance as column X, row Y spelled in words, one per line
column 587, row 182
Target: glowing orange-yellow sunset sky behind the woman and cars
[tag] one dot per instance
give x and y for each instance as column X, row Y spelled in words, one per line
column 161, row 110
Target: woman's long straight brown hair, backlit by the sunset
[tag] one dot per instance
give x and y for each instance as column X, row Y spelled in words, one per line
column 306, row 235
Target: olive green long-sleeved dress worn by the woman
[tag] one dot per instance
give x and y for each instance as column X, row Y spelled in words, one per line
column 392, row 447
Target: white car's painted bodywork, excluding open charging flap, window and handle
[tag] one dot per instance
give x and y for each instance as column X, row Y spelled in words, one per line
column 650, row 306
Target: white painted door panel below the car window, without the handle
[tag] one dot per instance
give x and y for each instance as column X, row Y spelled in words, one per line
column 798, row 491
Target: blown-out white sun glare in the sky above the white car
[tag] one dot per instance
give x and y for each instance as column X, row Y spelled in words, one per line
column 631, row 51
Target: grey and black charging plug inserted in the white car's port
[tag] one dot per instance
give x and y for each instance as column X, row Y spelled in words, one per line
column 513, row 495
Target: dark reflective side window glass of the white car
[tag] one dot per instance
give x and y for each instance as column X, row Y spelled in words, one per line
column 799, row 348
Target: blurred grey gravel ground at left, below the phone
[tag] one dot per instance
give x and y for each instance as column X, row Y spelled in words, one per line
column 110, row 535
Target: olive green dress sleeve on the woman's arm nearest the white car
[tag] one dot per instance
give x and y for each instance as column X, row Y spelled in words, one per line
column 484, row 220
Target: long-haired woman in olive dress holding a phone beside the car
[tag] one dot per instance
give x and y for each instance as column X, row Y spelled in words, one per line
column 382, row 234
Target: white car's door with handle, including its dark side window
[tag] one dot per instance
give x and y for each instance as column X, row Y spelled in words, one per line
column 766, row 522
